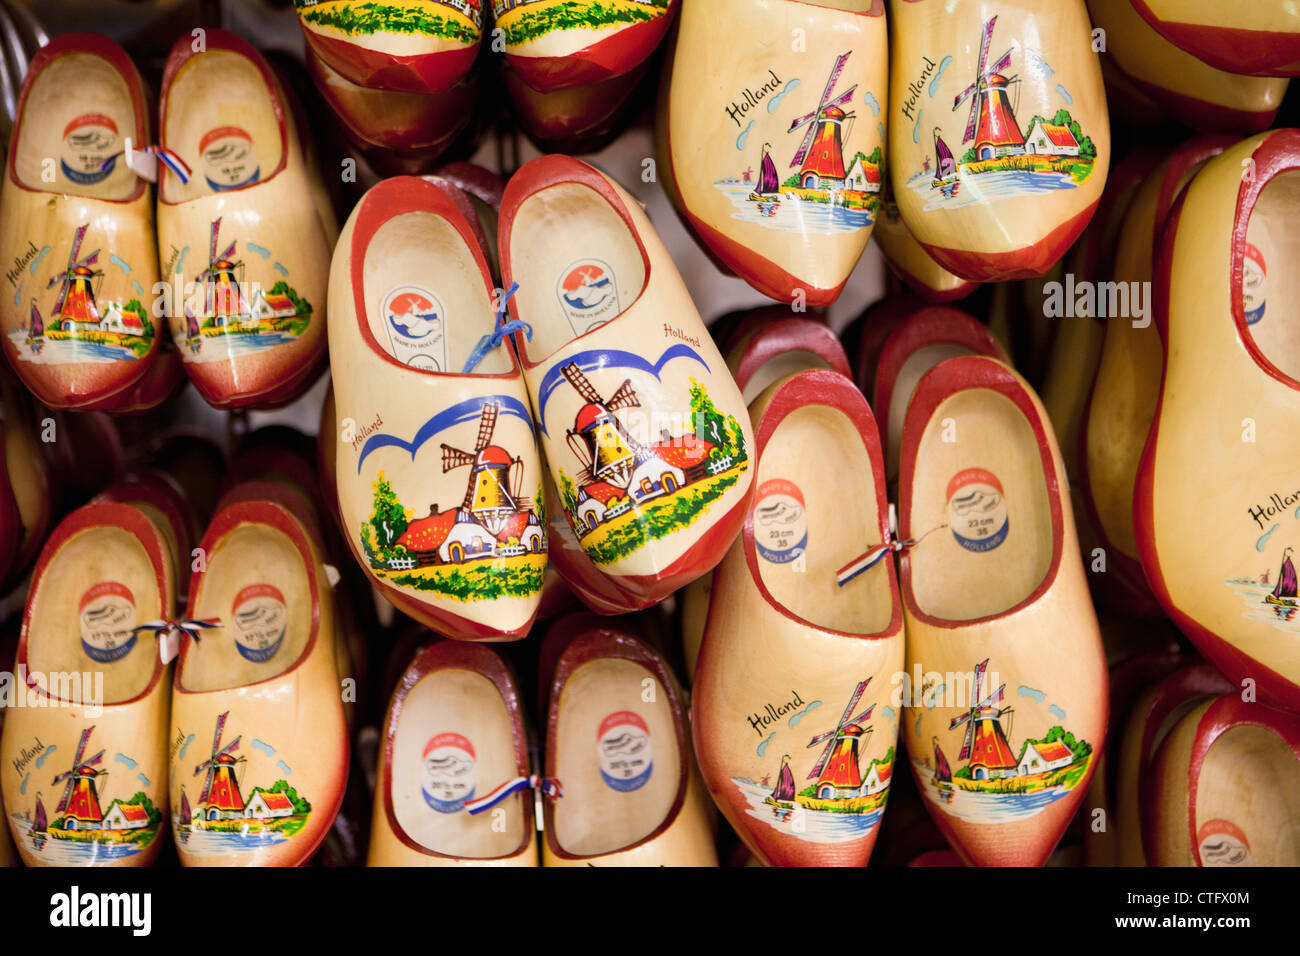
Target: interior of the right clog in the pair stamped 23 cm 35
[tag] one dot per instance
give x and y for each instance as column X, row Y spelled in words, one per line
column 978, row 431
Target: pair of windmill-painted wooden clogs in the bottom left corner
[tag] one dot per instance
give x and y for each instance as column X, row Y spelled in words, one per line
column 242, row 754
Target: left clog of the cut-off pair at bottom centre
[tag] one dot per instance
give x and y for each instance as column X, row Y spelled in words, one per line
column 456, row 788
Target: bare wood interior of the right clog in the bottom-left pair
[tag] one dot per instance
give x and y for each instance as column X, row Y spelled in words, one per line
column 254, row 624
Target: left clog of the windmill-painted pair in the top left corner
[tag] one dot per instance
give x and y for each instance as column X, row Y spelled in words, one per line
column 79, row 228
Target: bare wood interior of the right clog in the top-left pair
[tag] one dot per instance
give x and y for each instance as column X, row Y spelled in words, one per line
column 228, row 141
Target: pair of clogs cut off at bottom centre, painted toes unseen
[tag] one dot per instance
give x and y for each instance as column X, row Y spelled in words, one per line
column 618, row 786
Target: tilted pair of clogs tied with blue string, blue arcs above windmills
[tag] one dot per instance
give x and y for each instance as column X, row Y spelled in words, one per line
column 443, row 423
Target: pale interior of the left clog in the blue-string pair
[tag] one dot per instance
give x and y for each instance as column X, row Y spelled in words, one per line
column 418, row 262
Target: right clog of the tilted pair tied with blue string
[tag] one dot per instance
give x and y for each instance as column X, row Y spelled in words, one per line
column 655, row 470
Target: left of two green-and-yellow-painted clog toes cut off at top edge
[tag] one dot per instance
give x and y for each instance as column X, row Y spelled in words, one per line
column 408, row 46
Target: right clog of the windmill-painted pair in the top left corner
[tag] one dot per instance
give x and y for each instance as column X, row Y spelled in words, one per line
column 242, row 243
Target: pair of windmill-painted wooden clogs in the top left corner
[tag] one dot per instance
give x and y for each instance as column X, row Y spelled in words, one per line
column 101, row 306
